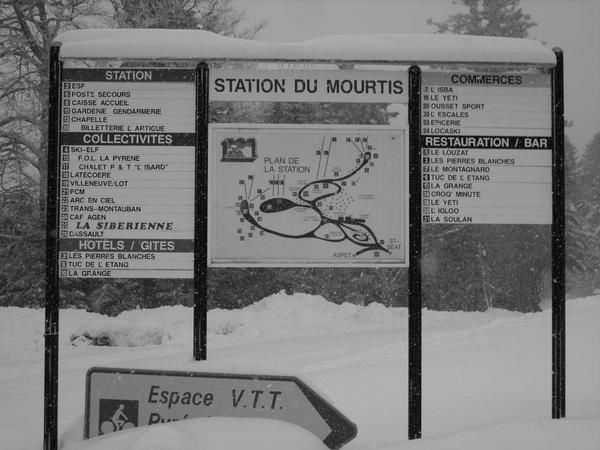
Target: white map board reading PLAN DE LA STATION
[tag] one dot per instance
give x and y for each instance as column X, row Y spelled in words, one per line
column 310, row 194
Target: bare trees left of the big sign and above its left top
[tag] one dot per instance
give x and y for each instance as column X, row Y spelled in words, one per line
column 27, row 30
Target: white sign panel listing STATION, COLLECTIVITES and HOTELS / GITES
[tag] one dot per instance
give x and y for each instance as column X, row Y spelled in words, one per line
column 126, row 173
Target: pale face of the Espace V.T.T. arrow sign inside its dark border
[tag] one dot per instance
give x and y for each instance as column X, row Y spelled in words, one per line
column 226, row 397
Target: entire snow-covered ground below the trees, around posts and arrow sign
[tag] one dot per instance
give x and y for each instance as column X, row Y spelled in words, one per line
column 486, row 376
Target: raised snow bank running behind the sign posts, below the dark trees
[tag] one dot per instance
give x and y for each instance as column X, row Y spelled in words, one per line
column 275, row 317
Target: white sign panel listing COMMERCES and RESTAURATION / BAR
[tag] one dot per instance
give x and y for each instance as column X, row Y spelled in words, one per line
column 486, row 142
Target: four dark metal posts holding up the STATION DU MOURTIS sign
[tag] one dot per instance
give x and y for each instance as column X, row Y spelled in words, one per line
column 52, row 305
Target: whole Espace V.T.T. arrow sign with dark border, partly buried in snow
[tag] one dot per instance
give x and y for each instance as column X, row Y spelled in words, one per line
column 118, row 399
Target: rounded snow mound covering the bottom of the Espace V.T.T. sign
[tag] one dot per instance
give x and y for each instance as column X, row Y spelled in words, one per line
column 213, row 433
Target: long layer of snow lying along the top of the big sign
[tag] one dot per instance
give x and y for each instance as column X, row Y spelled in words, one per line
column 204, row 45
